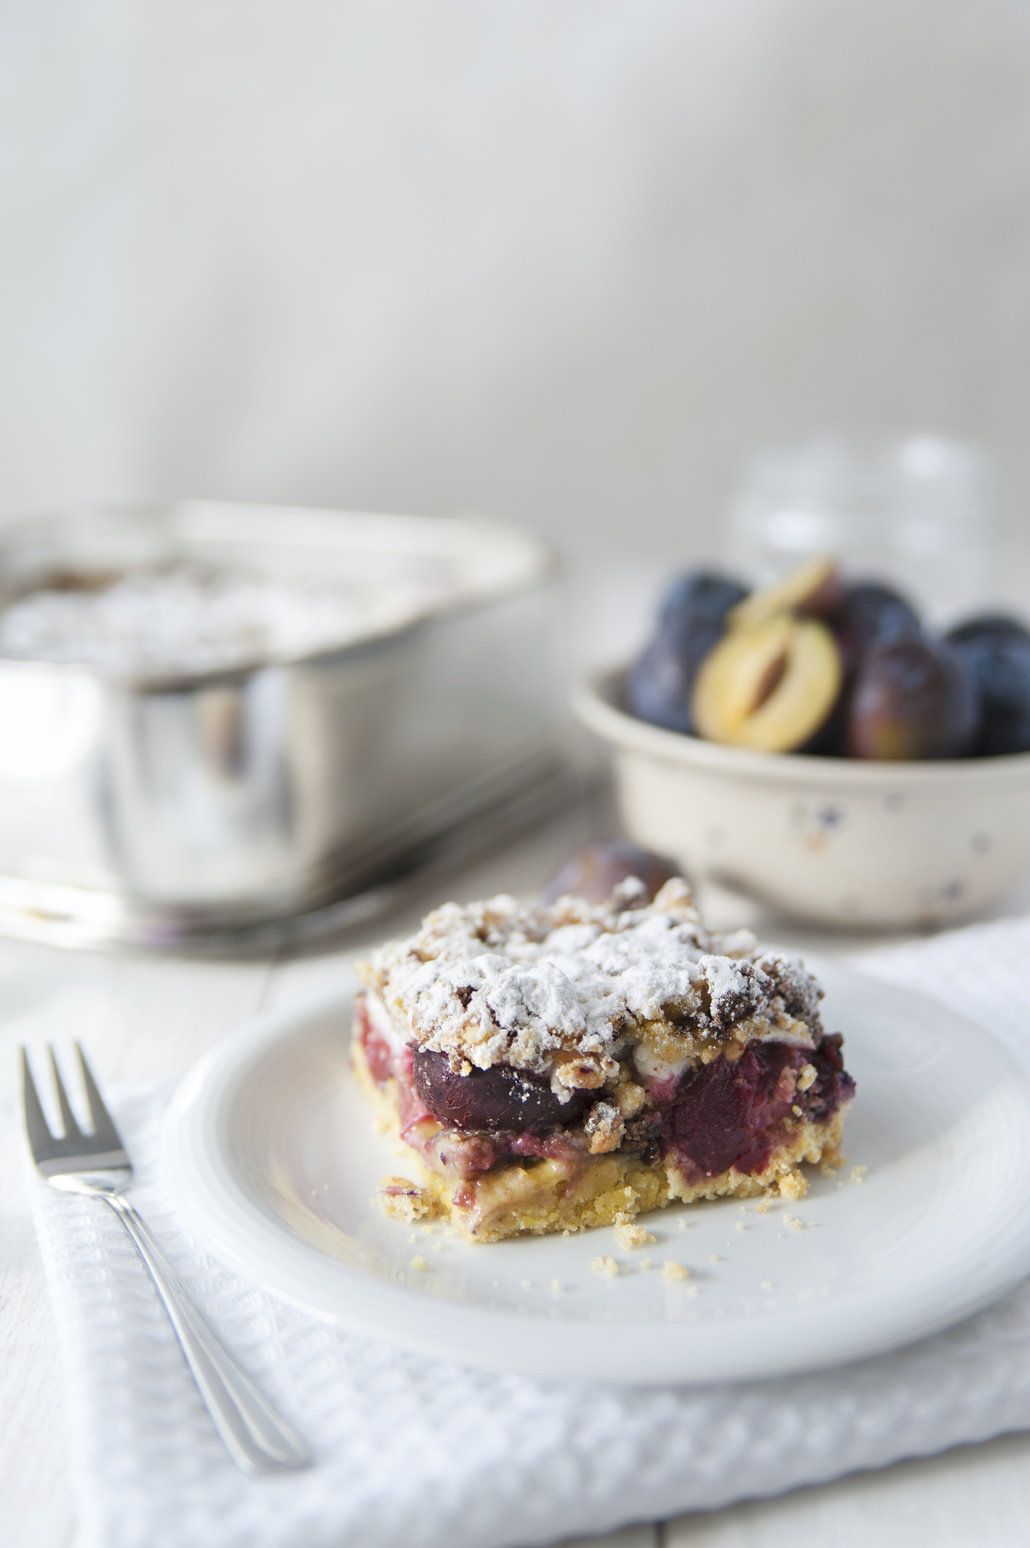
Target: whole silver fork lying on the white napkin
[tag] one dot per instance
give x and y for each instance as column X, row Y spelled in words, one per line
column 97, row 1163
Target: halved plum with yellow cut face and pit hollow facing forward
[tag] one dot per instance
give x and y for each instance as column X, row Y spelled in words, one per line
column 772, row 688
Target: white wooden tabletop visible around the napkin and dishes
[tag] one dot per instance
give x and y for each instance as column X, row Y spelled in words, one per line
column 151, row 1018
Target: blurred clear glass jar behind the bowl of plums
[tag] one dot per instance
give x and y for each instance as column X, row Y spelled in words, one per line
column 918, row 512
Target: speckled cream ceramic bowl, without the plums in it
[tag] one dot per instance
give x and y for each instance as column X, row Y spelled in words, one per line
column 834, row 841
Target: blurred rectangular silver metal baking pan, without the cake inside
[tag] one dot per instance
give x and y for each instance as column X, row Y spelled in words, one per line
column 230, row 804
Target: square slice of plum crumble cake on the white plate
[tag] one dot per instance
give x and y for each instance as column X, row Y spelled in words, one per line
column 554, row 1067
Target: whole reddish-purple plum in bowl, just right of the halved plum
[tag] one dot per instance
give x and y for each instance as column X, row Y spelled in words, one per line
column 913, row 699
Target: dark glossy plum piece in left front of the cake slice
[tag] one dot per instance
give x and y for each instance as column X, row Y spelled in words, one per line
column 493, row 1100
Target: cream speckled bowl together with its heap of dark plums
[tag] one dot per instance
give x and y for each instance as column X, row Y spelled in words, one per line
column 817, row 747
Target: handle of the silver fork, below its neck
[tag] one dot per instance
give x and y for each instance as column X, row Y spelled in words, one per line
column 255, row 1436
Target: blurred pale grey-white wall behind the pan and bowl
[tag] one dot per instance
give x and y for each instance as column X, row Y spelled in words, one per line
column 563, row 261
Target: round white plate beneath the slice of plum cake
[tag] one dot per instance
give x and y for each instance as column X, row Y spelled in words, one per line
column 273, row 1162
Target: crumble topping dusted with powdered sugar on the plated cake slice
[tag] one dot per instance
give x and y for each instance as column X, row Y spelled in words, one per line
column 561, row 988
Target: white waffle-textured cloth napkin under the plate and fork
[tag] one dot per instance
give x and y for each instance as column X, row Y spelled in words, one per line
column 422, row 1453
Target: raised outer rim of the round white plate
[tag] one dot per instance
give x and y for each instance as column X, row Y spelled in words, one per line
column 215, row 1205
